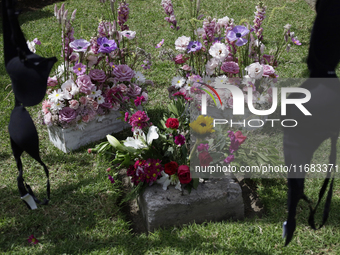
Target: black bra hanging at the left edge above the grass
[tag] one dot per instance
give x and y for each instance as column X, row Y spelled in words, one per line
column 29, row 73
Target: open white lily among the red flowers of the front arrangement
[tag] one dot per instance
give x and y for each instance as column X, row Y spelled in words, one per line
column 139, row 140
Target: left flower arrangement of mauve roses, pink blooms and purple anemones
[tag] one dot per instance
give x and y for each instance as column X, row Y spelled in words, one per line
column 96, row 76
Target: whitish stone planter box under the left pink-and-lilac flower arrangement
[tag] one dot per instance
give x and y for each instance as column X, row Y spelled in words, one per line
column 69, row 139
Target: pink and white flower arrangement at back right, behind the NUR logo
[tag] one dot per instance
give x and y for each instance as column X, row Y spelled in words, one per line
column 218, row 52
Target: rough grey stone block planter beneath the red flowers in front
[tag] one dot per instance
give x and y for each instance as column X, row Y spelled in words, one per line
column 215, row 200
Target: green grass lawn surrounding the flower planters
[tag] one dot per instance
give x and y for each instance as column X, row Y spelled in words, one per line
column 84, row 216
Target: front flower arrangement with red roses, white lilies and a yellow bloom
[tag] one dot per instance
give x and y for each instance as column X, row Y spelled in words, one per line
column 168, row 152
